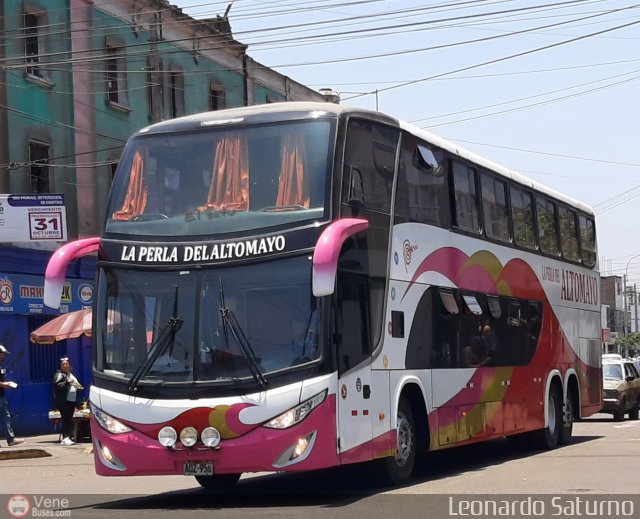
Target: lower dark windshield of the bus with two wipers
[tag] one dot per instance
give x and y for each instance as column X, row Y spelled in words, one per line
column 216, row 325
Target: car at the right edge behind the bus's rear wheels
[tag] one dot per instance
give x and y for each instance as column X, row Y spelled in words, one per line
column 621, row 388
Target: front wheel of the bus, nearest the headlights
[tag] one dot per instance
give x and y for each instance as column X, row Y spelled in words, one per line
column 398, row 469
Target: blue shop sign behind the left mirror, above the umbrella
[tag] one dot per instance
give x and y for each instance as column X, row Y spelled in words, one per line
column 22, row 294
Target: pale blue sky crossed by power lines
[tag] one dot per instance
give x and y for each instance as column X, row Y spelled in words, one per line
column 547, row 88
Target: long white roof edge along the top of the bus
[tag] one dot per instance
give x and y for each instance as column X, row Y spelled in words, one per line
column 277, row 111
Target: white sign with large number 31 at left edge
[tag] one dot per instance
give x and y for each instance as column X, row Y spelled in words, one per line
column 32, row 217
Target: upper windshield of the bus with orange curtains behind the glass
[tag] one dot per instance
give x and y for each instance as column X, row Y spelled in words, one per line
column 222, row 180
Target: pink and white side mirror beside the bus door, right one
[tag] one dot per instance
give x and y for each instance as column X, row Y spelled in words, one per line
column 325, row 256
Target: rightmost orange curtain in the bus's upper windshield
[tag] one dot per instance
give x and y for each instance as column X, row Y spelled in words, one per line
column 293, row 187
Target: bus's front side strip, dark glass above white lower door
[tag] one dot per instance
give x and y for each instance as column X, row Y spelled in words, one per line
column 367, row 187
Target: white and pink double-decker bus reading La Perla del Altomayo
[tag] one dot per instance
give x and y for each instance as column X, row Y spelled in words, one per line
column 298, row 286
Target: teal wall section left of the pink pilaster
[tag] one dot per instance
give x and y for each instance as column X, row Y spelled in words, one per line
column 41, row 110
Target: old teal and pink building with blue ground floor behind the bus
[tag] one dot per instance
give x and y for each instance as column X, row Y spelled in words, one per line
column 77, row 78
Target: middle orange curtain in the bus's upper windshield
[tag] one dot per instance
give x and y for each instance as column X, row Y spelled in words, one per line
column 229, row 188
